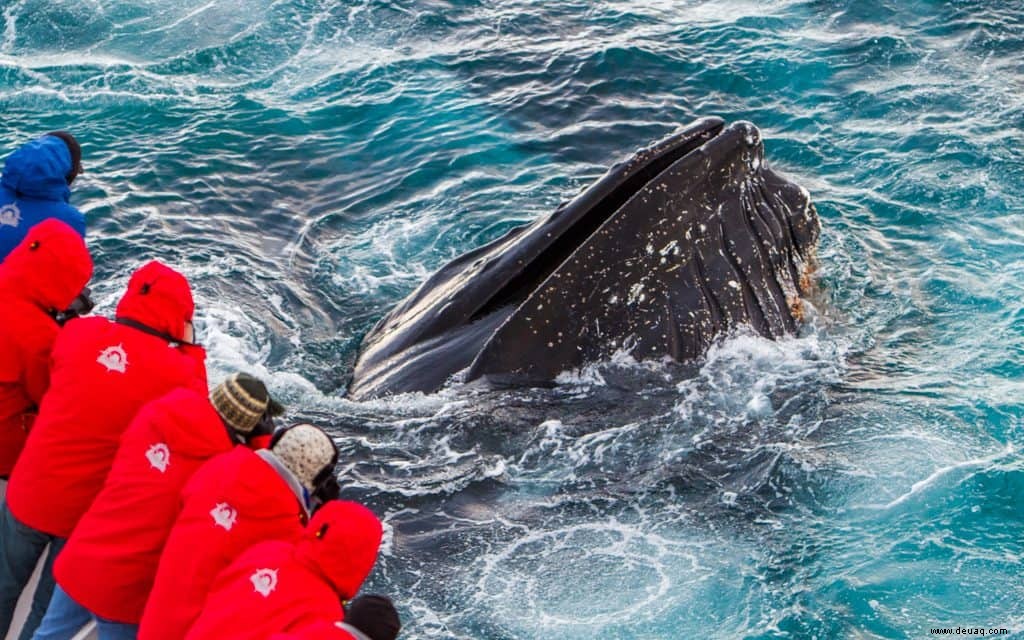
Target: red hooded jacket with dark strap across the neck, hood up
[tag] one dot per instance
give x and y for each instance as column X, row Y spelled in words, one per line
column 102, row 374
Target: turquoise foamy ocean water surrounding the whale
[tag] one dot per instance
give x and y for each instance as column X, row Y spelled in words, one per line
column 308, row 163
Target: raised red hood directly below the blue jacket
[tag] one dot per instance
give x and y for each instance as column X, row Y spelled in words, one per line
column 51, row 267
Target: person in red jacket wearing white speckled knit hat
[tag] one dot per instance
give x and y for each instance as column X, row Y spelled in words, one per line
column 234, row 501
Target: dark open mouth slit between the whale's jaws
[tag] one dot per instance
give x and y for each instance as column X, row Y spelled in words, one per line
column 624, row 181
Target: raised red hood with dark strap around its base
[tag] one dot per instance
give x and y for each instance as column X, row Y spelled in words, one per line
column 160, row 298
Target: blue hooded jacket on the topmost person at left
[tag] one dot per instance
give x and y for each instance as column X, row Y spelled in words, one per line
column 34, row 188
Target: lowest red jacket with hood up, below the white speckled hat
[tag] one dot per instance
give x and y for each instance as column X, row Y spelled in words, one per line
column 279, row 587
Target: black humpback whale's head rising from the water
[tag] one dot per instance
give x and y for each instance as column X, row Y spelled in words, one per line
column 685, row 241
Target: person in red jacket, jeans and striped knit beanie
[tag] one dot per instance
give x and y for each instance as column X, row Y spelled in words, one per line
column 107, row 568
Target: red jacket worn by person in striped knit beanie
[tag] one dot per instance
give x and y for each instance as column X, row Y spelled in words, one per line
column 110, row 563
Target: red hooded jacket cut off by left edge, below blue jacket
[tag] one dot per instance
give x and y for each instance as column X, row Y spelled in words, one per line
column 32, row 283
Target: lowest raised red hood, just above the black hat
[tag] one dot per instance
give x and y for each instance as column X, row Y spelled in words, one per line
column 340, row 543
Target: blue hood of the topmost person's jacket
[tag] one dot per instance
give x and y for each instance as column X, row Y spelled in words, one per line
column 39, row 170
